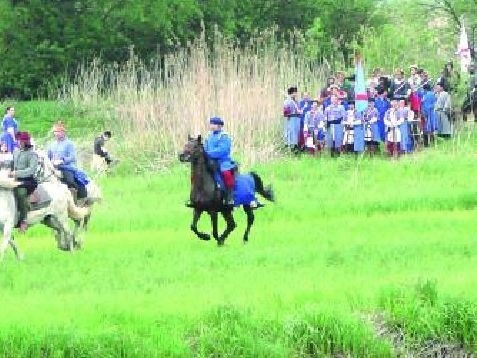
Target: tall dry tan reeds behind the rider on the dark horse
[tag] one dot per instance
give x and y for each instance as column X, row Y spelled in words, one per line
column 153, row 106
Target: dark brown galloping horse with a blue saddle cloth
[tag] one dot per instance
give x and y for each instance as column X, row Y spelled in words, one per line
column 206, row 196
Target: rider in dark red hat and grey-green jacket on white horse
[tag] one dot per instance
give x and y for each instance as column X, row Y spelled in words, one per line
column 25, row 165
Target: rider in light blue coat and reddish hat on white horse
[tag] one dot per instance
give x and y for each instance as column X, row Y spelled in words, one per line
column 62, row 154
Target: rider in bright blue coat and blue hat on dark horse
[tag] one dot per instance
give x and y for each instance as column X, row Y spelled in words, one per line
column 218, row 146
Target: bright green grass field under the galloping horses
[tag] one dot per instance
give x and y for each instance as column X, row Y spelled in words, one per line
column 351, row 245
